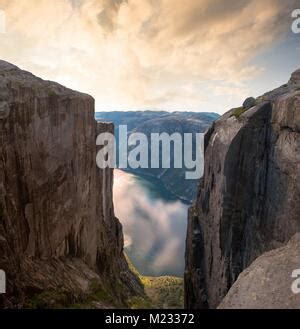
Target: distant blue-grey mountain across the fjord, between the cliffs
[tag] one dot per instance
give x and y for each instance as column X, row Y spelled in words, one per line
column 149, row 122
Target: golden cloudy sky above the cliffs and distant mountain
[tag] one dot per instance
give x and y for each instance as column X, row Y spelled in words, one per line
column 173, row 55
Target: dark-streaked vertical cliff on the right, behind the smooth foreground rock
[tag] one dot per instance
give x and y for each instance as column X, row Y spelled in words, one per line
column 249, row 198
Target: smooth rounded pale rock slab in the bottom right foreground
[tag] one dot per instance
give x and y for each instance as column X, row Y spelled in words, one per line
column 268, row 282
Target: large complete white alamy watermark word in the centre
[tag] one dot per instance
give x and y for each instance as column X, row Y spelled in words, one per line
column 165, row 151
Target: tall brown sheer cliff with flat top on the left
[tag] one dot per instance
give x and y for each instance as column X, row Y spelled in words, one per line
column 57, row 223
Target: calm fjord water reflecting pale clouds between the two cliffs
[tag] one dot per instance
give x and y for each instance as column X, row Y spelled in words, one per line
column 154, row 224
